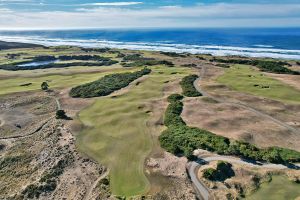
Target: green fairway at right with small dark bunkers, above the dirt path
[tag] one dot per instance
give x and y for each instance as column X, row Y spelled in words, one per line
column 243, row 78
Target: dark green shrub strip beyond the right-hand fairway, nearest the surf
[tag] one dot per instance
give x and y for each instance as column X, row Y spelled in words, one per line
column 277, row 67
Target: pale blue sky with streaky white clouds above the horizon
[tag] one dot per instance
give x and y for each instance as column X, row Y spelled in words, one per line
column 73, row 14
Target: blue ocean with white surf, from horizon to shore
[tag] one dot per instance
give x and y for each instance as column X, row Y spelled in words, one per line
column 281, row 43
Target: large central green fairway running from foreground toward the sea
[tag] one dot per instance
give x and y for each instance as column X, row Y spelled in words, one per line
column 117, row 135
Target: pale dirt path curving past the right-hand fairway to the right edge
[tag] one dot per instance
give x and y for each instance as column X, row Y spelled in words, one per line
column 278, row 122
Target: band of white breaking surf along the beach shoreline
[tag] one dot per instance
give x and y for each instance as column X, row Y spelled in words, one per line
column 216, row 50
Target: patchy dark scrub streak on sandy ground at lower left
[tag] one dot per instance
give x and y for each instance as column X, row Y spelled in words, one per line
column 48, row 182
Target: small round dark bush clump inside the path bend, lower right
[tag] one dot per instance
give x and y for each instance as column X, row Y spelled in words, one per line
column 223, row 172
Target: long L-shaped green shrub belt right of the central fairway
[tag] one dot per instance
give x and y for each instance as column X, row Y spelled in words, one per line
column 181, row 139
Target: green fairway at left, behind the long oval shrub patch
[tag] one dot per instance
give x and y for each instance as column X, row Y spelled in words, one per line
column 12, row 84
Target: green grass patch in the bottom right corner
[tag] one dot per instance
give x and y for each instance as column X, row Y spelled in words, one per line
column 280, row 188
